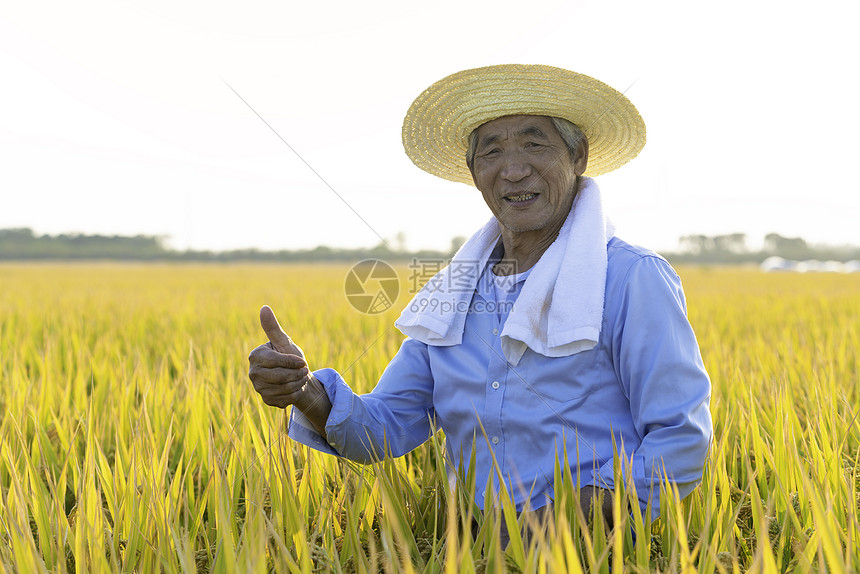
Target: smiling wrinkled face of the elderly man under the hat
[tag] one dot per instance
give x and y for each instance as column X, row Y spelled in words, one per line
column 525, row 173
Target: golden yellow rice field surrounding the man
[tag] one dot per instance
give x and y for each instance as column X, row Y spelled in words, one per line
column 132, row 441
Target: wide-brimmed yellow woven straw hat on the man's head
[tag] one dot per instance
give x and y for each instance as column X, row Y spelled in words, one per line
column 437, row 126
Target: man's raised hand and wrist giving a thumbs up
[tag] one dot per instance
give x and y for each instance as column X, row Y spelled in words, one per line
column 281, row 376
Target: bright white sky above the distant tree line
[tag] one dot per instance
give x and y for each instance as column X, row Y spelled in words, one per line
column 276, row 125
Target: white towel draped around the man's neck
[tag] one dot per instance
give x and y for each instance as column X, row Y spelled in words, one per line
column 559, row 311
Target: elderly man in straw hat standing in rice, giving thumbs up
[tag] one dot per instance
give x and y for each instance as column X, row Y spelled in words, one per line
column 547, row 338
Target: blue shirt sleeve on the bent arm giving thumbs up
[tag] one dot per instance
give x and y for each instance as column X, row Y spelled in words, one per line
column 391, row 420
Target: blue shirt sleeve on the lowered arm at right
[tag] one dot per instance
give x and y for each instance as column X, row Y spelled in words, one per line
column 658, row 362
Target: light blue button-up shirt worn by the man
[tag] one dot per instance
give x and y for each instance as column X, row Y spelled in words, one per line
column 643, row 388
